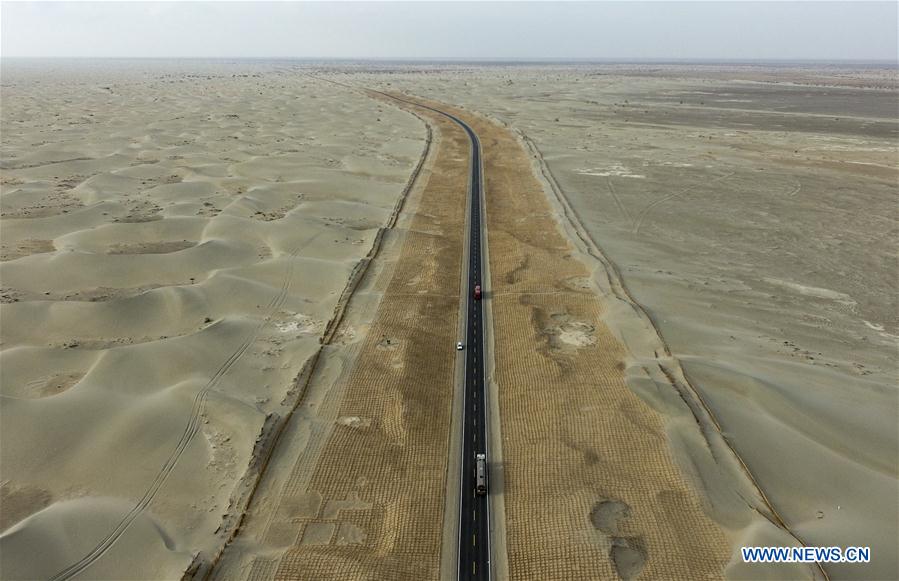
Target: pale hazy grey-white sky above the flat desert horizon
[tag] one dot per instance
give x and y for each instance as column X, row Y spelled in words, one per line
column 608, row 30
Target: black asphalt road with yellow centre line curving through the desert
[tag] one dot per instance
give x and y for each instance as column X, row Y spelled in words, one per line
column 474, row 523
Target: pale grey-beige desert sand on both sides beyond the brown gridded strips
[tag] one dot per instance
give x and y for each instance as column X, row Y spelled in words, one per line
column 174, row 239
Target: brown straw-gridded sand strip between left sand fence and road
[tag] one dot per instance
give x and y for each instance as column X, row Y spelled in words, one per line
column 355, row 488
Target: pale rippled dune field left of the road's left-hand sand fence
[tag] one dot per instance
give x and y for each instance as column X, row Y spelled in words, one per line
column 175, row 239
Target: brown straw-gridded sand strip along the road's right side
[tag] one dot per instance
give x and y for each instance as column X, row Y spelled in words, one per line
column 587, row 491
